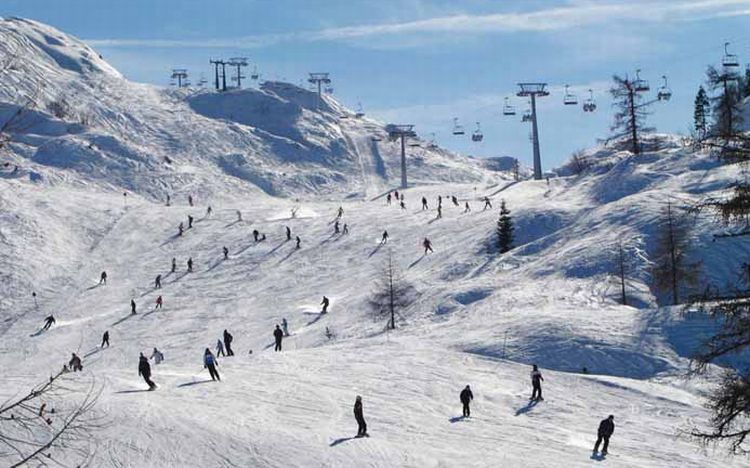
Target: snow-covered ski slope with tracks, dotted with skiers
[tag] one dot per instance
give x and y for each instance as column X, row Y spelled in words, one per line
column 479, row 319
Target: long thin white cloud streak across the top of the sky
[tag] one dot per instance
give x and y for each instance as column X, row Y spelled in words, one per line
column 552, row 19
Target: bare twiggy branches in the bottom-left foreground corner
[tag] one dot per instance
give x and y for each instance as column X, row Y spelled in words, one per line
column 48, row 421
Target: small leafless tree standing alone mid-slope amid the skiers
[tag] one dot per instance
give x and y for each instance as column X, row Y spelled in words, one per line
column 392, row 294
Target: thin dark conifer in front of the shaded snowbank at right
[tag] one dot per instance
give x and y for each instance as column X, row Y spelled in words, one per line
column 671, row 270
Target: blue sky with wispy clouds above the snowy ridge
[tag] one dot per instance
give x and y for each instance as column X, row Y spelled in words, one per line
column 426, row 62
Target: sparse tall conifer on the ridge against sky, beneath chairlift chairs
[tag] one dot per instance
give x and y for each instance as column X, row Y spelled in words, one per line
column 630, row 115
